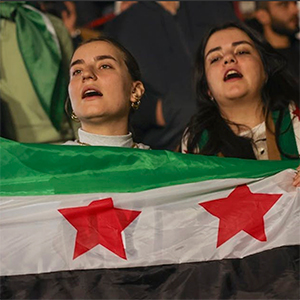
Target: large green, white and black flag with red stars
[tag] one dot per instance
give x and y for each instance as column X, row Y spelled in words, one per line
column 115, row 223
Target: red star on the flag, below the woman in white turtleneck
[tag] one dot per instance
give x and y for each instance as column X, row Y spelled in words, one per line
column 99, row 223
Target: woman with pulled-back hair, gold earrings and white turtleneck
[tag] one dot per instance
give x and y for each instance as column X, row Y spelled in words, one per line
column 105, row 86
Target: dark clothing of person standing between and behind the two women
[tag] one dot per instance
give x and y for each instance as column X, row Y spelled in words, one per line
column 164, row 46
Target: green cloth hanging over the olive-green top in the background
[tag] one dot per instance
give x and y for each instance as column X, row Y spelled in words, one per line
column 42, row 57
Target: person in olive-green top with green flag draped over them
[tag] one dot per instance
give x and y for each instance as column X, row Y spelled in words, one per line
column 35, row 49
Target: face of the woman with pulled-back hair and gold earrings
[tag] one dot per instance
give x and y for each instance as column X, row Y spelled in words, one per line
column 100, row 86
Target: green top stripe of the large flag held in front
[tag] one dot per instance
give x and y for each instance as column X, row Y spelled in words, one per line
column 37, row 169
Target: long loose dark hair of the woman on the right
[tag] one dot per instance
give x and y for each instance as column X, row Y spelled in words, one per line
column 278, row 92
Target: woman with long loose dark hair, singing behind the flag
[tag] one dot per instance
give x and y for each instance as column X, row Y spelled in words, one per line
column 247, row 102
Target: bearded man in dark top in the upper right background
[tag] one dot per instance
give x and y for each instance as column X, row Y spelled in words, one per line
column 280, row 24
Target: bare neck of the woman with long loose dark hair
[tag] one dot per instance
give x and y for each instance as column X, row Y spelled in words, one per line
column 248, row 114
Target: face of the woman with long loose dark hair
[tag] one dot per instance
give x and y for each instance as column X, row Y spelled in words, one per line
column 233, row 67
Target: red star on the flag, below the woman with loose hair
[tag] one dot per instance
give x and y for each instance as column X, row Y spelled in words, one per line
column 241, row 210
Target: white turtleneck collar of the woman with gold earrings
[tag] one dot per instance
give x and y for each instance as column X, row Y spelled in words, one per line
column 105, row 140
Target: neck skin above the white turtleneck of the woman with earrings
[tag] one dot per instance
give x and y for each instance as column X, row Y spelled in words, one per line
column 110, row 129
